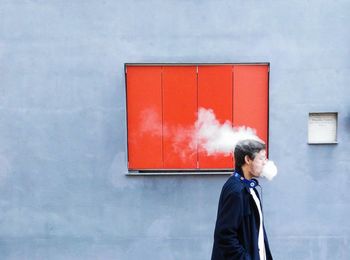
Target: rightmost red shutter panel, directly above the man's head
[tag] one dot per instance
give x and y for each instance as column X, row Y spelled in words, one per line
column 250, row 98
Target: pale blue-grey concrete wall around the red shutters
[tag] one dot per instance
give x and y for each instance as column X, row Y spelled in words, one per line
column 63, row 189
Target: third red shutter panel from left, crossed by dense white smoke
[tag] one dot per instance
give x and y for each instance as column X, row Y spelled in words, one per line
column 215, row 92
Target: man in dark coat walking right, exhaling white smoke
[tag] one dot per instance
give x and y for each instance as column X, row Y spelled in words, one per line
column 239, row 230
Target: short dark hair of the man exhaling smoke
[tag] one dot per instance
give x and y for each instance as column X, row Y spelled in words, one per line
column 248, row 147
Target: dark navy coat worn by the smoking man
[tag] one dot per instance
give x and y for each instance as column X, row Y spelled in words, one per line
column 237, row 224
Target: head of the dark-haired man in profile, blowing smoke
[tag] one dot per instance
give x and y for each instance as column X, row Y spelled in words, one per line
column 250, row 157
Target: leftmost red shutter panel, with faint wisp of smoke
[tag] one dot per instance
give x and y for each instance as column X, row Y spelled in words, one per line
column 144, row 107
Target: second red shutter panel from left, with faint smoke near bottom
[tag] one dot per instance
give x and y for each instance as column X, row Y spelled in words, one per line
column 179, row 115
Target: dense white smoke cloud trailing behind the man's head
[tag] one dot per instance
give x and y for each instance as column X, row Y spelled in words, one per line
column 216, row 138
